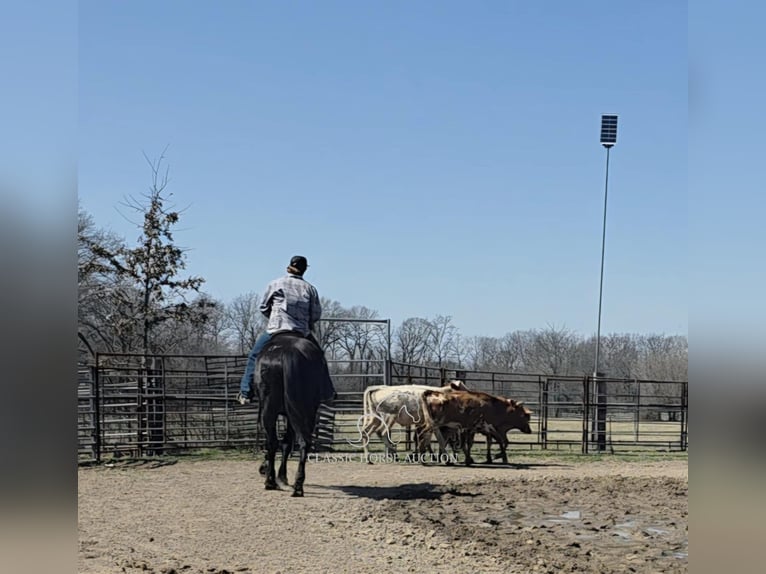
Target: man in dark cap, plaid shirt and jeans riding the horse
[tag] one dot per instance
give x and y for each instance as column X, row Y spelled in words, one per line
column 292, row 304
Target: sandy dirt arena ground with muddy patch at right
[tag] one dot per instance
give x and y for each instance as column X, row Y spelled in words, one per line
column 539, row 514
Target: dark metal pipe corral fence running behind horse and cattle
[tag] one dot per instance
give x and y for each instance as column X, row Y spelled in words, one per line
column 137, row 405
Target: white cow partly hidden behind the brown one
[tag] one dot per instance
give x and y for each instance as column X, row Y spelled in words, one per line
column 385, row 406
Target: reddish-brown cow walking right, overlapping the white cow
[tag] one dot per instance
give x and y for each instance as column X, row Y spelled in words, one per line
column 474, row 411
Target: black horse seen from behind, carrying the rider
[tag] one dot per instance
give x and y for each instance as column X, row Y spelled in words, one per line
column 291, row 378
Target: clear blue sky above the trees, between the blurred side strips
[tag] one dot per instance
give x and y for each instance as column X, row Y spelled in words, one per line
column 428, row 158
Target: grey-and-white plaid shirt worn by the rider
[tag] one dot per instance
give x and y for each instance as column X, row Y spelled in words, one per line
column 292, row 304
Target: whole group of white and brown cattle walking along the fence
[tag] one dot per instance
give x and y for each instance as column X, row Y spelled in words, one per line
column 452, row 414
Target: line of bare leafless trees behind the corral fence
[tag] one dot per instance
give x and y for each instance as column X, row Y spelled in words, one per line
column 137, row 299
